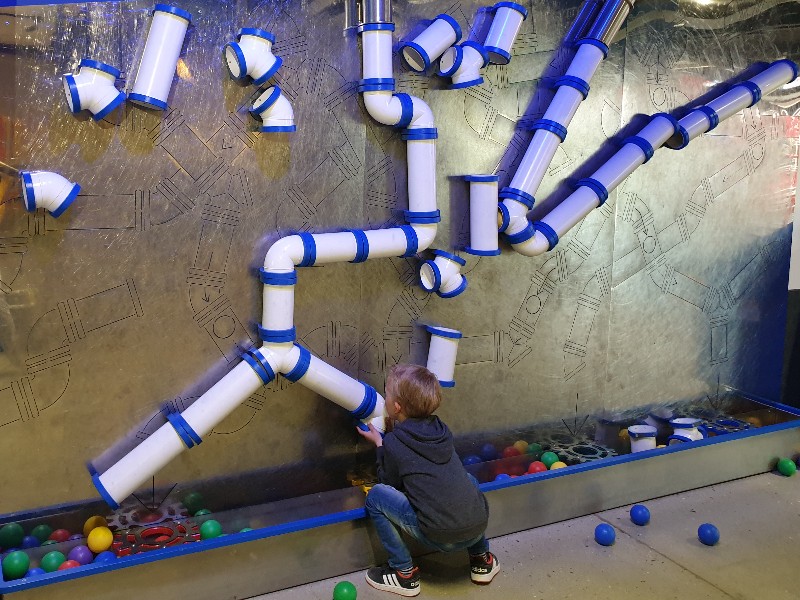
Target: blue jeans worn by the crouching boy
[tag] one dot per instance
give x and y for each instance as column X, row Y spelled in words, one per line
column 391, row 513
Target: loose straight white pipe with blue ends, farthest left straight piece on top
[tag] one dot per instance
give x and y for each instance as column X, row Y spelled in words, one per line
column 160, row 57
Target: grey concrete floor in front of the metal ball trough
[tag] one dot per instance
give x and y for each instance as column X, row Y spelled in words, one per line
column 756, row 558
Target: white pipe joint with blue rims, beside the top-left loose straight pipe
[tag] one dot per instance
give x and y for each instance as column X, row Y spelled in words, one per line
column 92, row 88
